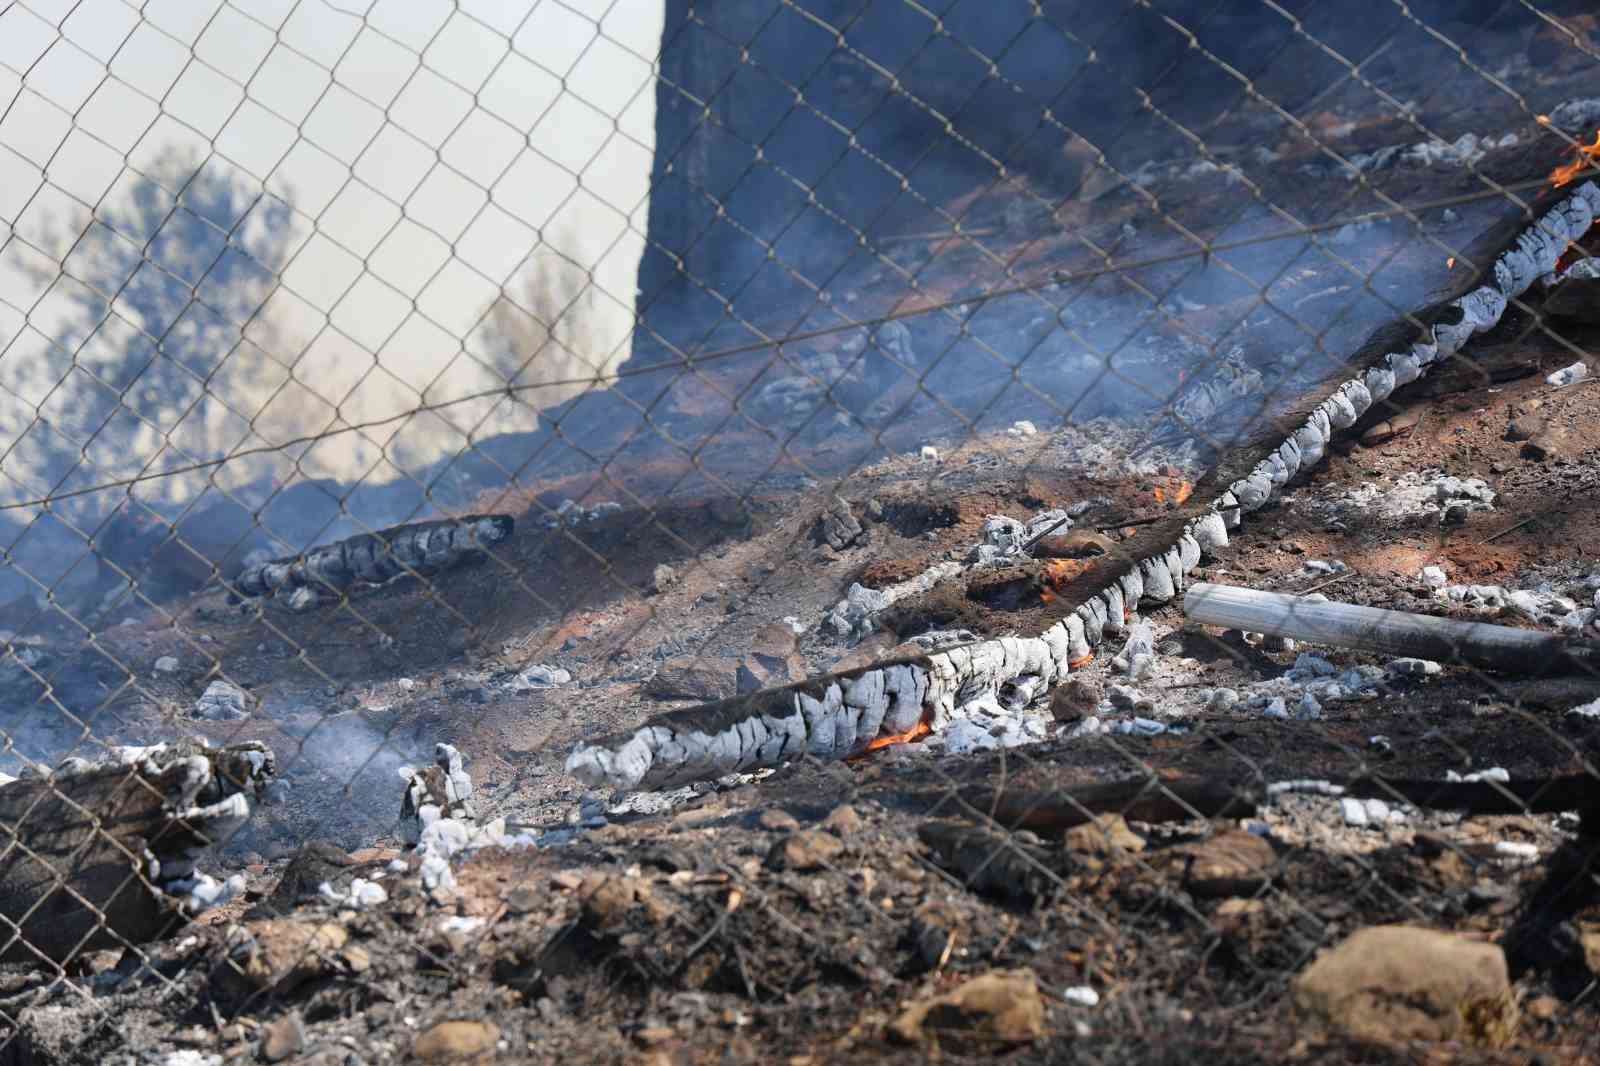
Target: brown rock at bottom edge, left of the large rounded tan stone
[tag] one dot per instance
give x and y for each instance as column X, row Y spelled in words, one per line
column 1001, row 1008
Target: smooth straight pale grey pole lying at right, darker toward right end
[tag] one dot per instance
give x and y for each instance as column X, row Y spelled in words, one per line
column 1390, row 633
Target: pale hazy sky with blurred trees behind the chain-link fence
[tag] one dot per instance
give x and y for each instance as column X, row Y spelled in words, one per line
column 313, row 206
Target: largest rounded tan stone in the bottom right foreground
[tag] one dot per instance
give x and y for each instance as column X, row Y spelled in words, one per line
column 1404, row 984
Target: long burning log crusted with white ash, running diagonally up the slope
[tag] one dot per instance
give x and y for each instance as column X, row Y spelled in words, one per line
column 849, row 713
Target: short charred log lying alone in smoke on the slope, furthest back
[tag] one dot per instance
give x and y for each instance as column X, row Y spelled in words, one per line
column 422, row 548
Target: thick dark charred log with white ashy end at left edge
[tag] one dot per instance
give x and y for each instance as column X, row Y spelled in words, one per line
column 103, row 856
